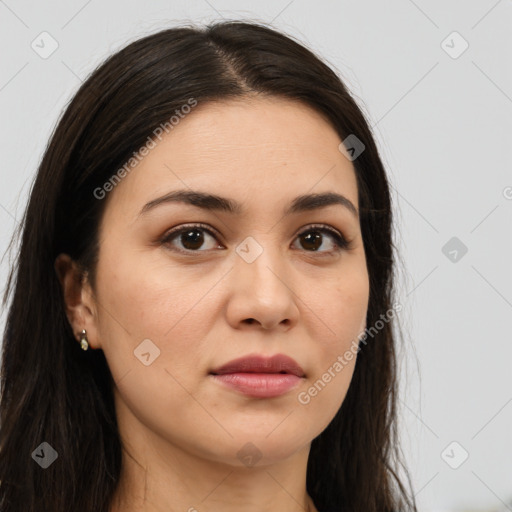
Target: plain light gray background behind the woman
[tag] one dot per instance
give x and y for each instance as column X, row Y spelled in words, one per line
column 441, row 115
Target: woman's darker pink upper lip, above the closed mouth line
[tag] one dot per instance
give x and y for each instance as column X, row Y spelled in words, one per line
column 278, row 363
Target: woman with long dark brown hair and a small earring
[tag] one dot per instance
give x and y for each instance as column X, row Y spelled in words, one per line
column 211, row 224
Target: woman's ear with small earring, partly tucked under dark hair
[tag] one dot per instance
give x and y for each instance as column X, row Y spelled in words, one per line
column 79, row 301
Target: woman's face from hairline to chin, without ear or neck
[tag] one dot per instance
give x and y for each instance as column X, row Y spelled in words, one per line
column 167, row 313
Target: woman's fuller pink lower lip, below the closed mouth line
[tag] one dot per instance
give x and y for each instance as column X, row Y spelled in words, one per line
column 259, row 385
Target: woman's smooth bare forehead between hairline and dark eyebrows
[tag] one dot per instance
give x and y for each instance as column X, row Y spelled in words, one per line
column 264, row 149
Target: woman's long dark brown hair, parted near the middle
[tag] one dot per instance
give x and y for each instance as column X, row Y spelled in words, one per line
column 51, row 391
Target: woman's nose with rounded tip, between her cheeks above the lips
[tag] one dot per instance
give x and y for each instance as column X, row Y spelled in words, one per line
column 262, row 293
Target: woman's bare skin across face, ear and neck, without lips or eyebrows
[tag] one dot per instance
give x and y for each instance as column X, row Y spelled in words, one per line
column 181, row 430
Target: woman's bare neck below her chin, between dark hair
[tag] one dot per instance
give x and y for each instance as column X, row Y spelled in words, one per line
column 173, row 480
